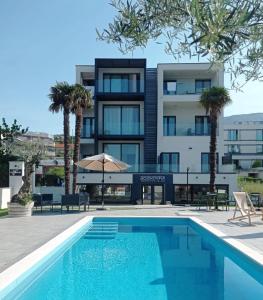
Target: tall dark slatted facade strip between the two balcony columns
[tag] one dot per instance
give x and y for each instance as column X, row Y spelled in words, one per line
column 150, row 117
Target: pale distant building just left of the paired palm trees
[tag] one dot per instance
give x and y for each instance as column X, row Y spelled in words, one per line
column 44, row 139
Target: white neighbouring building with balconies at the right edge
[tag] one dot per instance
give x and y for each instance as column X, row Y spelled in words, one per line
column 243, row 139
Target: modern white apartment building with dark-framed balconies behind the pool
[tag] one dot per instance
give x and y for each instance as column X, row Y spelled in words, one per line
column 151, row 118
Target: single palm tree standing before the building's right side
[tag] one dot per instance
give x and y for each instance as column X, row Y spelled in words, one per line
column 214, row 100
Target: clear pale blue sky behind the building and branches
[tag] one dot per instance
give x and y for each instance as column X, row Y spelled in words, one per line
column 42, row 41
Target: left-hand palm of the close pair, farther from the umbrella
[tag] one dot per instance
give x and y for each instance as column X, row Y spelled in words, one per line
column 61, row 97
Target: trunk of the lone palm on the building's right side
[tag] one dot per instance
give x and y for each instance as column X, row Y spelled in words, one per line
column 213, row 120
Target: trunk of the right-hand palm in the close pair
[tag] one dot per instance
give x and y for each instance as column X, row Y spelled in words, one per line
column 76, row 148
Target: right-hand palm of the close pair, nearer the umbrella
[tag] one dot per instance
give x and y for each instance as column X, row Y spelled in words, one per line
column 81, row 99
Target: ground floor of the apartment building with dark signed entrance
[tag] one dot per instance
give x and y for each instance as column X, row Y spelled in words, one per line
column 153, row 188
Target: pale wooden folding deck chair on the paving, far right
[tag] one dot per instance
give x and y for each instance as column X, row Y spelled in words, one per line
column 245, row 206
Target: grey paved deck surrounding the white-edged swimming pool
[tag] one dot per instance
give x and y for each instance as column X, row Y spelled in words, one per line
column 20, row 236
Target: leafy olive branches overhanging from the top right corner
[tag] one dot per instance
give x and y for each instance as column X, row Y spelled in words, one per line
column 224, row 31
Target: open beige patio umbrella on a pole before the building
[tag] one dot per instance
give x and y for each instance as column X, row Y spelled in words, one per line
column 104, row 163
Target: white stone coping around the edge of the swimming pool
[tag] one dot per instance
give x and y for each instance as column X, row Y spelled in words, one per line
column 14, row 272
